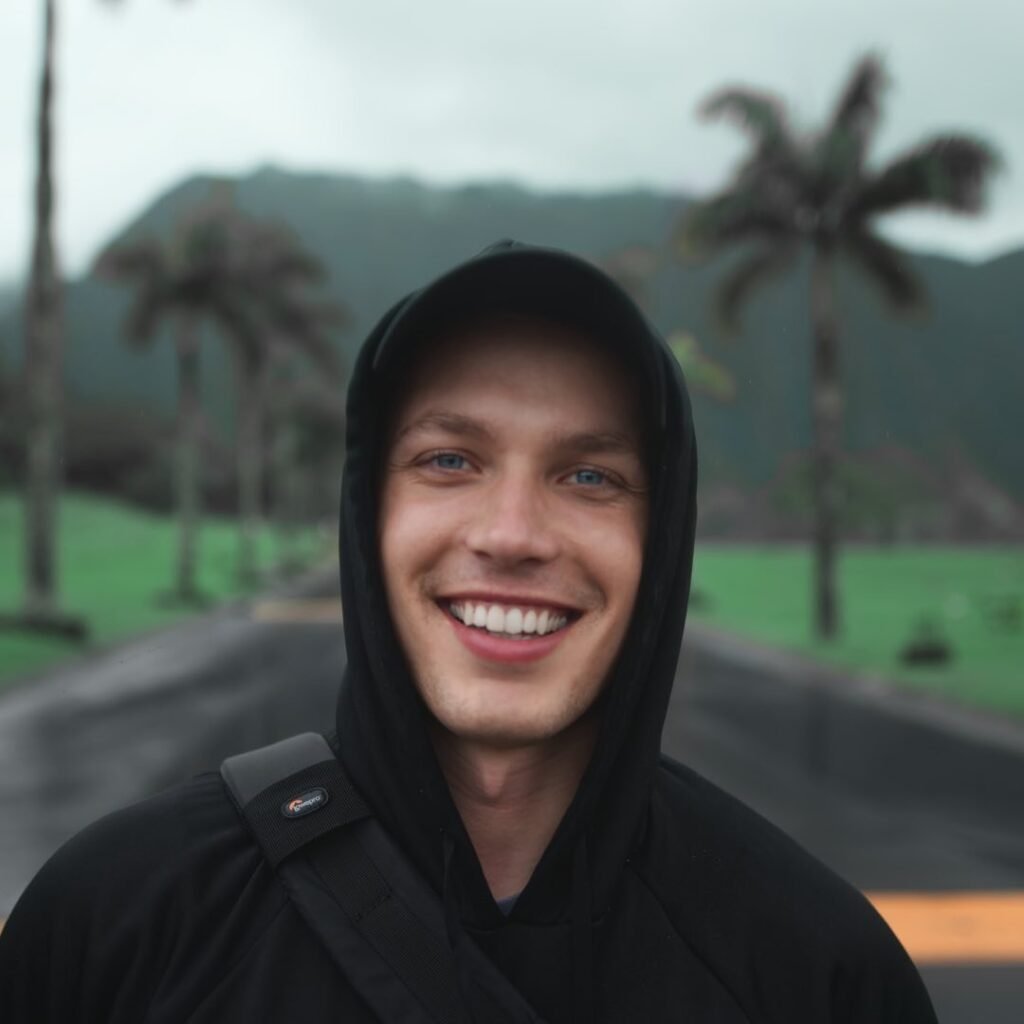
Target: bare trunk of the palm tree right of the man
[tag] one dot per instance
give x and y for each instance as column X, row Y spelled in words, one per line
column 828, row 410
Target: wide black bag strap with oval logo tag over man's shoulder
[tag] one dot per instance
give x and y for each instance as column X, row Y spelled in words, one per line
column 308, row 819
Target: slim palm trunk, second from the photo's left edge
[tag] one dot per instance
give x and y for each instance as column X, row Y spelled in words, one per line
column 187, row 485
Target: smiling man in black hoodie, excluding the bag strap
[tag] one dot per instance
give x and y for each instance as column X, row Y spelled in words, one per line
column 518, row 525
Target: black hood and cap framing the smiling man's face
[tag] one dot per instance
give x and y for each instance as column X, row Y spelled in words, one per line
column 381, row 720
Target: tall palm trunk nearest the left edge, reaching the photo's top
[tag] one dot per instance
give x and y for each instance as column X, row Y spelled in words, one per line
column 44, row 366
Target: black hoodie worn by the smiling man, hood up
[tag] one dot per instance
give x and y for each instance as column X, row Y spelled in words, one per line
column 660, row 898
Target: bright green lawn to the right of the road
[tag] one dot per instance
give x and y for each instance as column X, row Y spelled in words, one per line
column 974, row 598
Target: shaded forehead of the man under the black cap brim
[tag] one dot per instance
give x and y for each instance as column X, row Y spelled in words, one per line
column 524, row 366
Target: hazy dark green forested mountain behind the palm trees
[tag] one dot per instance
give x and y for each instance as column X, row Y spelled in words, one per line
column 947, row 389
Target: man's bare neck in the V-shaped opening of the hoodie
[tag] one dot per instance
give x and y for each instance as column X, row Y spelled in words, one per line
column 513, row 799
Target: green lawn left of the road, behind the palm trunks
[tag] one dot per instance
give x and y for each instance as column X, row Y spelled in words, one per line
column 116, row 563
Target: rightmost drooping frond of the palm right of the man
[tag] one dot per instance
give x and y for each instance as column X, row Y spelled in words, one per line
column 950, row 172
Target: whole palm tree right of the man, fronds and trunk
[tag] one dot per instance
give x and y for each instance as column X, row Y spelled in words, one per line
column 795, row 193
